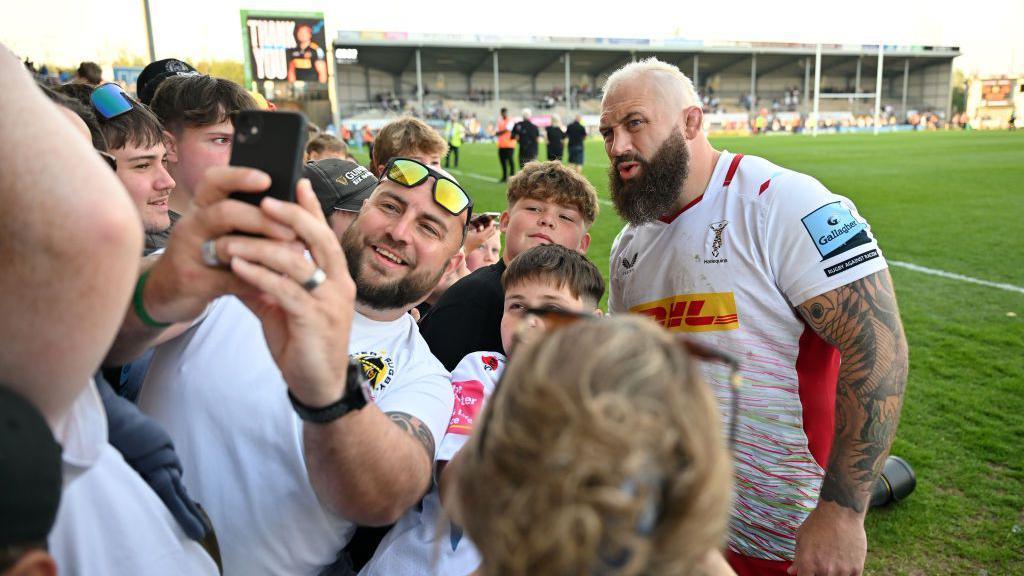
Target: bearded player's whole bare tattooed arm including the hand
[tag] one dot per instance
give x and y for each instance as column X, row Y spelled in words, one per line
column 862, row 320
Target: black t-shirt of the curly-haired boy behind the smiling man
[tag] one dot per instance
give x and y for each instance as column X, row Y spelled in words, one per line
column 467, row 318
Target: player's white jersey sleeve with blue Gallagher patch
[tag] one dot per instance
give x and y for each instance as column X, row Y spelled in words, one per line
column 816, row 240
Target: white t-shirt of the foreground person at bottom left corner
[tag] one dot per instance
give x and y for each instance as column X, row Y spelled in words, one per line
column 110, row 521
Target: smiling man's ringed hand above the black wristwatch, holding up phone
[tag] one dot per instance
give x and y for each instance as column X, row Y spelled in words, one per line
column 307, row 327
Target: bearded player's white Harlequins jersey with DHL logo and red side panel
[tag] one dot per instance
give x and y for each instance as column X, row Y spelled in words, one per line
column 730, row 270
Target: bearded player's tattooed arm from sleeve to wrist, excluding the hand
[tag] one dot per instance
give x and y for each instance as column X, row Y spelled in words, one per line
column 863, row 321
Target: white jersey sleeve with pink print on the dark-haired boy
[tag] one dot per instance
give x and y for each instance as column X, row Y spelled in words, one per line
column 473, row 384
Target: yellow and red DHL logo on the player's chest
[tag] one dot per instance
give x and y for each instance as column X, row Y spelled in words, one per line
column 694, row 313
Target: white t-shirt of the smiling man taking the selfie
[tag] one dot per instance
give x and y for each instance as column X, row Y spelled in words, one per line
column 220, row 394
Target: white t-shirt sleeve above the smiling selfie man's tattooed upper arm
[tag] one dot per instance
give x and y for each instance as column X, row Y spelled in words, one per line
column 423, row 392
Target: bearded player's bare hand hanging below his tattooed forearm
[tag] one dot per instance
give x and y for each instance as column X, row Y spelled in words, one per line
column 831, row 543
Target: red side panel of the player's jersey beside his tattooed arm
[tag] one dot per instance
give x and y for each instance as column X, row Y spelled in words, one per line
column 818, row 374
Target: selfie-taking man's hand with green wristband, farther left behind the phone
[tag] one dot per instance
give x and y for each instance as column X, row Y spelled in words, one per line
column 182, row 283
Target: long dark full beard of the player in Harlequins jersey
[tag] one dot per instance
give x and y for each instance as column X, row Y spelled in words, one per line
column 655, row 191
